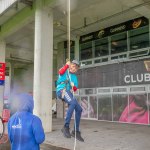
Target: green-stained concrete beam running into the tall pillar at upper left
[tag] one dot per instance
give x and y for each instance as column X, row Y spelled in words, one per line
column 18, row 15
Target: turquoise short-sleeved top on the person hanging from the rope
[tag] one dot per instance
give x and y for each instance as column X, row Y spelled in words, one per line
column 61, row 84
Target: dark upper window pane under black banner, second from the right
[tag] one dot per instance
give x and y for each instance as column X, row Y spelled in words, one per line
column 119, row 43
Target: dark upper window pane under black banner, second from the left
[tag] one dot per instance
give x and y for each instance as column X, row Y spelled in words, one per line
column 101, row 47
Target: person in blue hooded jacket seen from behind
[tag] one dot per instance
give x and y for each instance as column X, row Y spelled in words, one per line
column 25, row 130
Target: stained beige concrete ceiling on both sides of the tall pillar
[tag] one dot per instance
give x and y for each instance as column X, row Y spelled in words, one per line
column 86, row 16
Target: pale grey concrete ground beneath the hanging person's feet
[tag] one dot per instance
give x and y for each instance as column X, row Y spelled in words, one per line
column 103, row 136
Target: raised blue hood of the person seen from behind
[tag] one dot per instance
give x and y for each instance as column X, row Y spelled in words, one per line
column 25, row 102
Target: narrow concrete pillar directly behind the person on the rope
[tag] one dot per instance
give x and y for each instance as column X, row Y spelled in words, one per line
column 60, row 63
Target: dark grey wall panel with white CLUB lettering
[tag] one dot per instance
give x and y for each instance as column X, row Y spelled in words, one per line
column 118, row 74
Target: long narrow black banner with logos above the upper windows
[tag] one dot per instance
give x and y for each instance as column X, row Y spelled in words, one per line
column 126, row 26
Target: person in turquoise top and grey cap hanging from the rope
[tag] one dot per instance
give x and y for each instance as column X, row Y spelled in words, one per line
column 67, row 84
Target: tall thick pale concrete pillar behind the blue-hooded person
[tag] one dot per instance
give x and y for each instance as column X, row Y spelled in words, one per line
column 43, row 65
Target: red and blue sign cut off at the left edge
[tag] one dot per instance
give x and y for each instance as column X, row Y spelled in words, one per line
column 2, row 73
